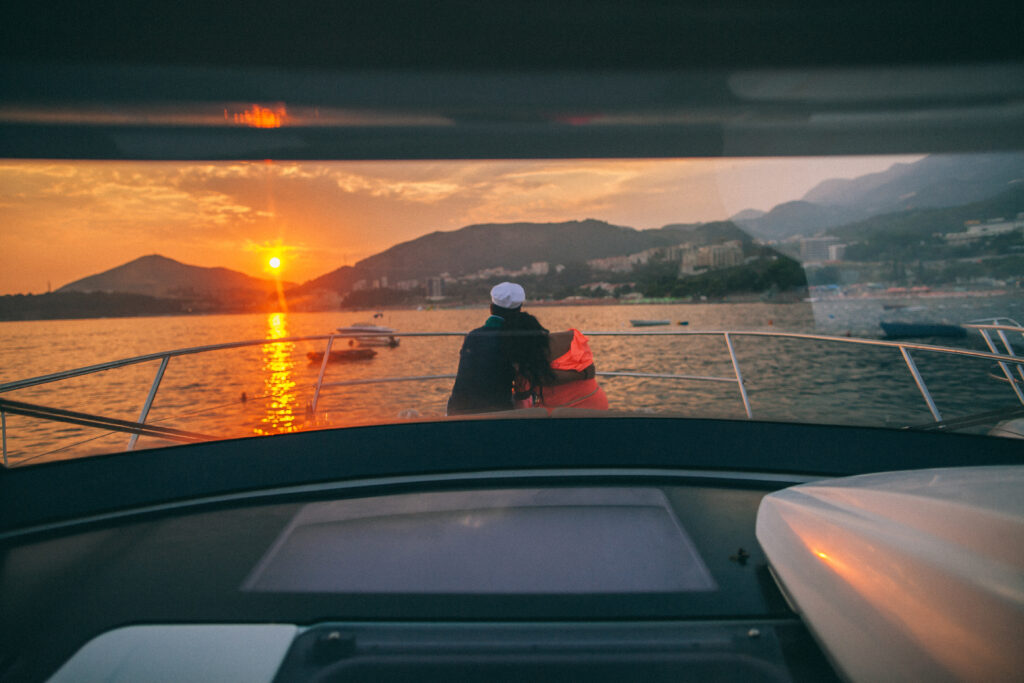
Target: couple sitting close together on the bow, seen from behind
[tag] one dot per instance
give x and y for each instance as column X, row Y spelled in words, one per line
column 514, row 362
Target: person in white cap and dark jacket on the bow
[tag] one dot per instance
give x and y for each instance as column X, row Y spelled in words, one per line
column 486, row 377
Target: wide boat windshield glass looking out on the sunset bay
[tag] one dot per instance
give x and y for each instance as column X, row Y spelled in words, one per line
column 702, row 289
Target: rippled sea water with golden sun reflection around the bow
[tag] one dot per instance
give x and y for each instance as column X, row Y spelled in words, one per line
column 786, row 380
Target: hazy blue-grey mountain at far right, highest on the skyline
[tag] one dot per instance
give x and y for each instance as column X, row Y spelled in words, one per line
column 933, row 183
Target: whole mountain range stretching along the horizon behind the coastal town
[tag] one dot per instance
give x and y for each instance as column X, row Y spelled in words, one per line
column 930, row 184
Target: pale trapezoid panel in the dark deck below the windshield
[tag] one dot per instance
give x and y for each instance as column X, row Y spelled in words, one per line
column 487, row 542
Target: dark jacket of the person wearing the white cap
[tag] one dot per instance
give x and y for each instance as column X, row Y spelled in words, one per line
column 485, row 380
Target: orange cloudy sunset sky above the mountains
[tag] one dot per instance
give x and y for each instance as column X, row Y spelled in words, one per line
column 62, row 222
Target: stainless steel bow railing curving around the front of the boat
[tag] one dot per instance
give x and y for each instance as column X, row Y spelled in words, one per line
column 1005, row 359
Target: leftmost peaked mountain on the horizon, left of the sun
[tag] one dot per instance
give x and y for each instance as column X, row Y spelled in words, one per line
column 161, row 277
